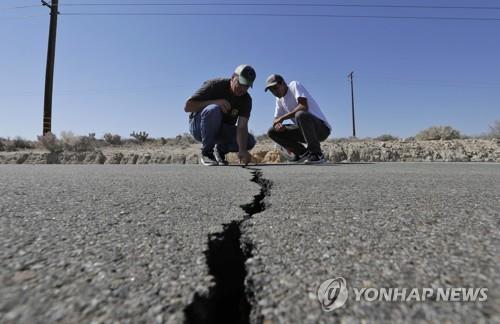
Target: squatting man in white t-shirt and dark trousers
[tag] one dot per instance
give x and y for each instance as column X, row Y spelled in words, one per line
column 309, row 126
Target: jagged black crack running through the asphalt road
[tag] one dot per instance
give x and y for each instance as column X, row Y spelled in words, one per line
column 227, row 301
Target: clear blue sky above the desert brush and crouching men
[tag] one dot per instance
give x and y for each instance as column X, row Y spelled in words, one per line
column 121, row 74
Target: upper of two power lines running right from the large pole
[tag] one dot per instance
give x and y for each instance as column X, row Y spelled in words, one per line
column 278, row 4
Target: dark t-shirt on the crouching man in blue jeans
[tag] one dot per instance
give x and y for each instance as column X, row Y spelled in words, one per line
column 221, row 89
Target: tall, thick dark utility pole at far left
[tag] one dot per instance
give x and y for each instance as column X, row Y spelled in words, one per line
column 49, row 75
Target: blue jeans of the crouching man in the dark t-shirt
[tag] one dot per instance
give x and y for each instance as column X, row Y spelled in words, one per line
column 207, row 127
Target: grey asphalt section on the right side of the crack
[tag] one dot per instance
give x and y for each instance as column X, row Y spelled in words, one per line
column 412, row 225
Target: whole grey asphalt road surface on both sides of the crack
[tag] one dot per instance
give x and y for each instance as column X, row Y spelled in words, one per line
column 132, row 244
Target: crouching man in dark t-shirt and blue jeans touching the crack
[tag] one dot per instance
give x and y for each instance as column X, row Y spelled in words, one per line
column 219, row 113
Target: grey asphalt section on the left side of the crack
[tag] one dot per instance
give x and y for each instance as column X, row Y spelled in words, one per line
column 106, row 244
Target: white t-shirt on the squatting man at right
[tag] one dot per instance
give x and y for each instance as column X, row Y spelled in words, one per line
column 290, row 101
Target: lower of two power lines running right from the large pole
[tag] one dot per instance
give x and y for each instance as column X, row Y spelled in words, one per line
column 280, row 15
